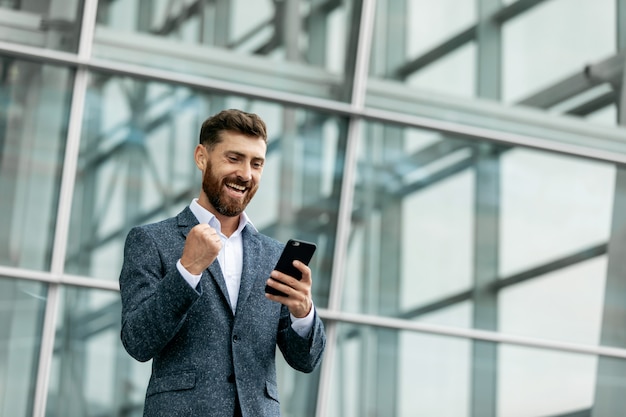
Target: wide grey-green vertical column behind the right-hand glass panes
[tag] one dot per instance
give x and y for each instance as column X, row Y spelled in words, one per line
column 483, row 399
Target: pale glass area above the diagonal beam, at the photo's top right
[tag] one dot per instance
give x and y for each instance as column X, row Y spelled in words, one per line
column 529, row 61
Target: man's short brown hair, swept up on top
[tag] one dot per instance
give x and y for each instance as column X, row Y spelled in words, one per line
column 234, row 120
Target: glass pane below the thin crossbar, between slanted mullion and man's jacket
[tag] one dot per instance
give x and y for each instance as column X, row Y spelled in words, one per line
column 91, row 372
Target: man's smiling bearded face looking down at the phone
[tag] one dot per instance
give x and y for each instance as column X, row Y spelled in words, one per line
column 231, row 172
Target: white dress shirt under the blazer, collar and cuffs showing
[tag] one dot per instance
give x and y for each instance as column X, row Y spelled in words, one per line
column 230, row 259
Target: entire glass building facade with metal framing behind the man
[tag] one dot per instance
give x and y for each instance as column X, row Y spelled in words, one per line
column 461, row 165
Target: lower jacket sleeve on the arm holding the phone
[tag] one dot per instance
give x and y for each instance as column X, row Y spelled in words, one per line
column 302, row 354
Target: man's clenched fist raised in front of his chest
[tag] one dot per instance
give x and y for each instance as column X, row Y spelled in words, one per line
column 202, row 246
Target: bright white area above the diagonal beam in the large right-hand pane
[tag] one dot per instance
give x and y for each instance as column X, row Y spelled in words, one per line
column 552, row 206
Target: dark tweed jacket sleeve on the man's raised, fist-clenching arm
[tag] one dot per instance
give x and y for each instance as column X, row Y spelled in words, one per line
column 155, row 302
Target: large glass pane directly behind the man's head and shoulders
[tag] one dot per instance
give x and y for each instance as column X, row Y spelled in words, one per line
column 136, row 166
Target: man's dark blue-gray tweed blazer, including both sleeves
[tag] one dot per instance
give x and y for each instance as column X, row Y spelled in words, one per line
column 203, row 356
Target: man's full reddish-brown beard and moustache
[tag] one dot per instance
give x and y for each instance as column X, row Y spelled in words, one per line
column 224, row 204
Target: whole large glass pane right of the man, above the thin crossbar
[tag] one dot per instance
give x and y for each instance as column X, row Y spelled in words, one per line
column 439, row 221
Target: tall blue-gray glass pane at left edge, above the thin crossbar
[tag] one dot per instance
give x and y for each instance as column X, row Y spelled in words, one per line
column 34, row 111
